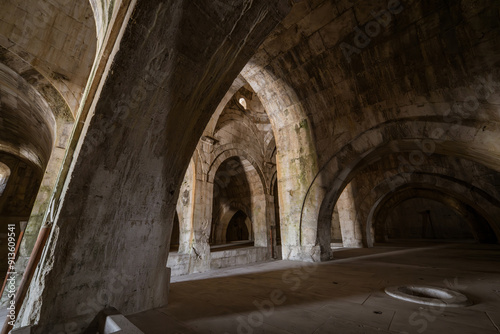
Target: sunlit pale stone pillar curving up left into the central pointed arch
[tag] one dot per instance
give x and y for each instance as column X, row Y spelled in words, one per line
column 296, row 163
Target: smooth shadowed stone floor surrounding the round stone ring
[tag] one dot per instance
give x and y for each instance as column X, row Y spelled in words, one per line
column 341, row 296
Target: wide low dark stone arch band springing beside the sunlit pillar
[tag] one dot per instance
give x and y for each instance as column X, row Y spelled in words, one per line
column 386, row 138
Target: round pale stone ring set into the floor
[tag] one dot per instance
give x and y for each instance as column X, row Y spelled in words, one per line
column 428, row 295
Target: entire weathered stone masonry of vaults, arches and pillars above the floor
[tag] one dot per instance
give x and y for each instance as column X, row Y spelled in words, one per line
column 350, row 109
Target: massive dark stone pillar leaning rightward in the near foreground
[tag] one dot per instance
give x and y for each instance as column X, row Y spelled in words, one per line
column 175, row 61
